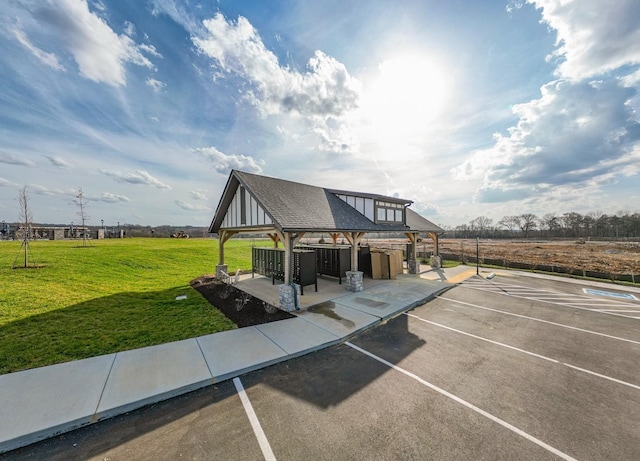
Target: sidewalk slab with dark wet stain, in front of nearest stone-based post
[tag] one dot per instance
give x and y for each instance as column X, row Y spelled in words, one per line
column 337, row 318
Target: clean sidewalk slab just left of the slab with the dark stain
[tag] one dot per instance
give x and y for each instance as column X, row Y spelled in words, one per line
column 298, row 336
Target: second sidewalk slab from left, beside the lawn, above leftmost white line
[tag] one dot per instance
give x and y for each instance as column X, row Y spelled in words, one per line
column 143, row 376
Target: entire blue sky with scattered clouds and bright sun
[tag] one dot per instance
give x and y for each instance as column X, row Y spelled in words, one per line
column 468, row 108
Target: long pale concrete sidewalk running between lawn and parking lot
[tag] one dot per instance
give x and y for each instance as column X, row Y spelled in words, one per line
column 43, row 402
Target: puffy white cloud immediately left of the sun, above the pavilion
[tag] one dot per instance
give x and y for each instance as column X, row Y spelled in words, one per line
column 325, row 95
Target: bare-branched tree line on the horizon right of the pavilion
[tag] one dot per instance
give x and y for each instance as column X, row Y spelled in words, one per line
column 597, row 225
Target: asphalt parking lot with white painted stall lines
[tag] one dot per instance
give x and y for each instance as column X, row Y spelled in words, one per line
column 508, row 368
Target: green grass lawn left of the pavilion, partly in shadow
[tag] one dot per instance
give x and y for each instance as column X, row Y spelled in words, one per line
column 110, row 296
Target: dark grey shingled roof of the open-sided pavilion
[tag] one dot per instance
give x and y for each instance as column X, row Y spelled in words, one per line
column 295, row 207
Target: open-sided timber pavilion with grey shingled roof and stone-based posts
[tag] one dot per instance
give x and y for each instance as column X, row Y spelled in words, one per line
column 287, row 210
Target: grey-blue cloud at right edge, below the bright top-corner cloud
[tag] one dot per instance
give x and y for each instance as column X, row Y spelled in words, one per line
column 576, row 133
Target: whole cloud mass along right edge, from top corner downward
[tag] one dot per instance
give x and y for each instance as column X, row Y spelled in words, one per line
column 583, row 133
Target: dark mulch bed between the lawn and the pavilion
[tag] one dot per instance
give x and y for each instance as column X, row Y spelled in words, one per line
column 238, row 306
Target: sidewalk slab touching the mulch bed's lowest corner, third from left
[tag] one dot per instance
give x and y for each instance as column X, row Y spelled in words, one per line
column 232, row 353
